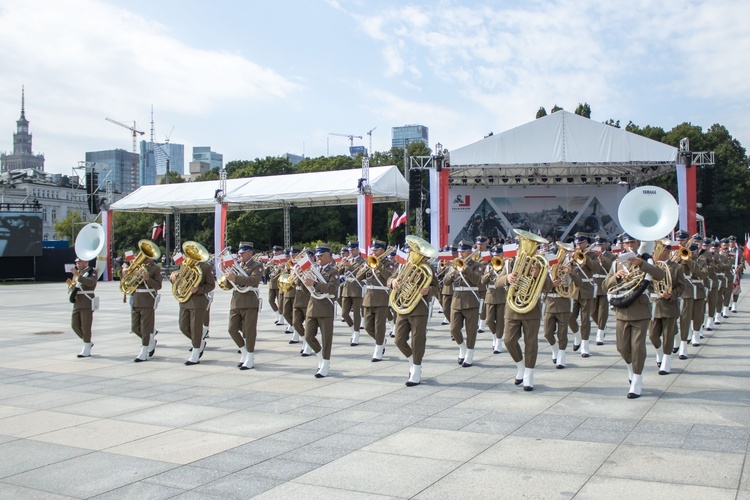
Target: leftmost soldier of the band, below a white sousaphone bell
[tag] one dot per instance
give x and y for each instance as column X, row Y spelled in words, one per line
column 84, row 303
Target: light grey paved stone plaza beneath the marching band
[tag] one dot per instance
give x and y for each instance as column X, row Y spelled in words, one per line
column 106, row 427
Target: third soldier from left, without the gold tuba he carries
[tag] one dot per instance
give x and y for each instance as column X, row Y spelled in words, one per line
column 194, row 310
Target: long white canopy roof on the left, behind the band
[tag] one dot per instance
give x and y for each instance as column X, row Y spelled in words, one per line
column 335, row 187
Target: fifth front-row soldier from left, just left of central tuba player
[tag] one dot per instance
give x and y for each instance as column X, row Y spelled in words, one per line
column 320, row 309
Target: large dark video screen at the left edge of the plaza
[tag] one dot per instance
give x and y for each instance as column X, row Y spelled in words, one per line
column 21, row 234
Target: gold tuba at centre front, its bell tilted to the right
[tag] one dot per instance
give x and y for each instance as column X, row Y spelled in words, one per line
column 413, row 276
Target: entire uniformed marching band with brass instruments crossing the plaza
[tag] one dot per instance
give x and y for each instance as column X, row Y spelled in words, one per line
column 670, row 293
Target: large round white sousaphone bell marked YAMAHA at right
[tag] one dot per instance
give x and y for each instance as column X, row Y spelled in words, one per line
column 648, row 213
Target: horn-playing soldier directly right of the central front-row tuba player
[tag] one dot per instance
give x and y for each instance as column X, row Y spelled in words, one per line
column 465, row 303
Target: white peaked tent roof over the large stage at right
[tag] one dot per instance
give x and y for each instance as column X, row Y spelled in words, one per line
column 561, row 148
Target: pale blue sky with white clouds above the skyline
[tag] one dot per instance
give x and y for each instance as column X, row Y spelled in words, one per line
column 262, row 78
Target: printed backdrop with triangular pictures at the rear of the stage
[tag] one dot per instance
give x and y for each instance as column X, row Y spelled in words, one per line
column 554, row 212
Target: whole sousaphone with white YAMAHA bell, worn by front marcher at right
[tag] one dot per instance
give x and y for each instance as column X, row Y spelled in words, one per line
column 647, row 213
